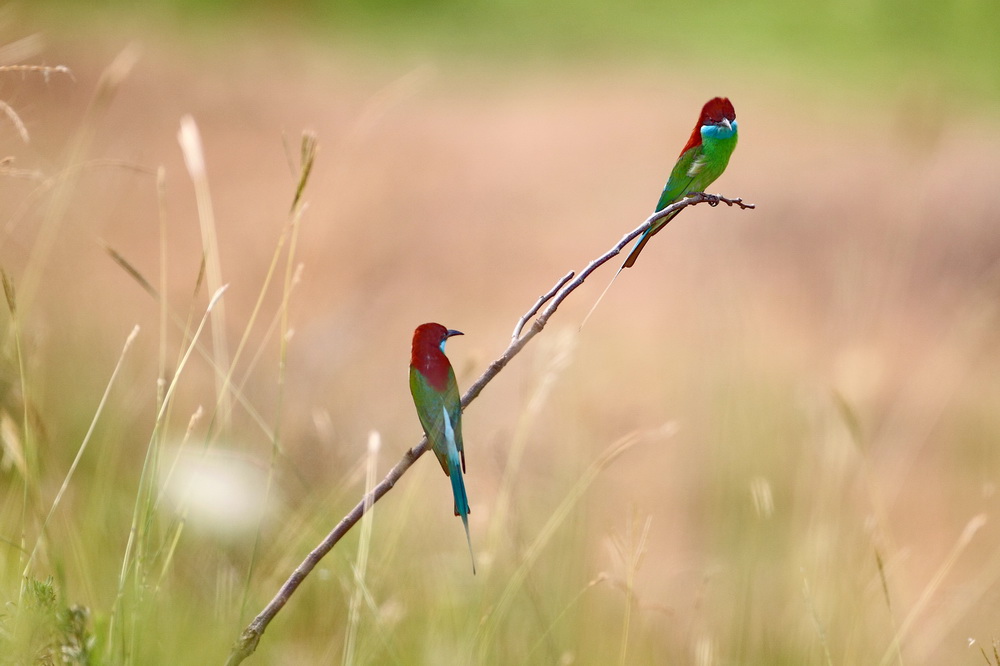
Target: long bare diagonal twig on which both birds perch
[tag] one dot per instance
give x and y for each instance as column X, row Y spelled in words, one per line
column 246, row 644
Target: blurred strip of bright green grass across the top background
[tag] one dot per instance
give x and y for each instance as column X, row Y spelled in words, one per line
column 861, row 45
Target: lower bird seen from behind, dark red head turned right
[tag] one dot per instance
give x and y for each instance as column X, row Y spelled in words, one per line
column 435, row 394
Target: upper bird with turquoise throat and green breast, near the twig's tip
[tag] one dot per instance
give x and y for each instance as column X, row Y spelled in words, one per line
column 702, row 160
